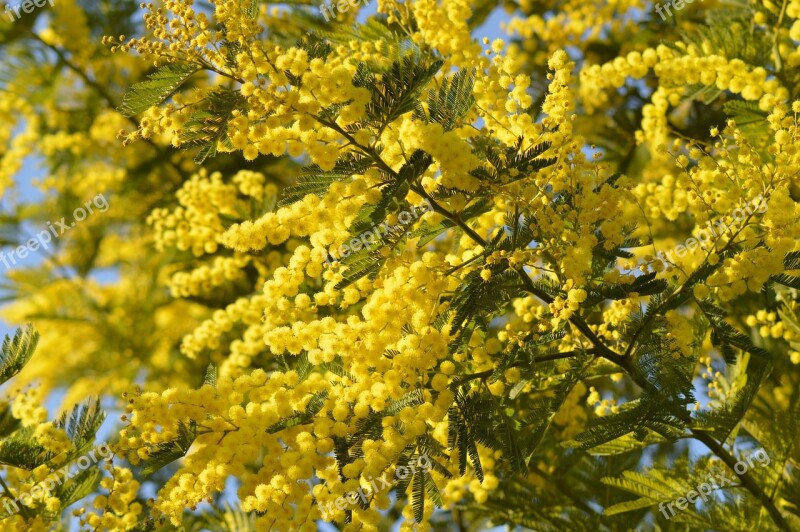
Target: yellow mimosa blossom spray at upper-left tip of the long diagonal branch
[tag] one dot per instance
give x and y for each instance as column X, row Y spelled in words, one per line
column 279, row 117
